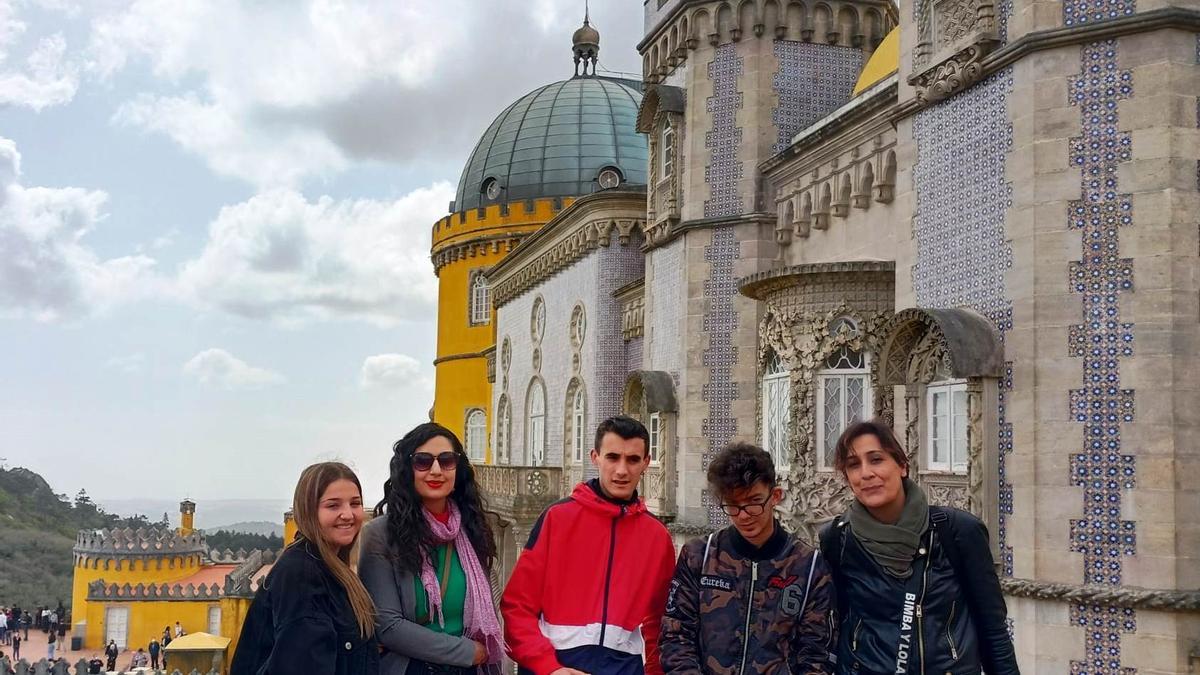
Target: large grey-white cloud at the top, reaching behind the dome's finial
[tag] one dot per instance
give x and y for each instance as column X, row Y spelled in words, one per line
column 274, row 93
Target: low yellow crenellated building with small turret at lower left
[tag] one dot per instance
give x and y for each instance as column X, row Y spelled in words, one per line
column 131, row 584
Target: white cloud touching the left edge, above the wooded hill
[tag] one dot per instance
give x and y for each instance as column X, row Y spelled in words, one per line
column 46, row 270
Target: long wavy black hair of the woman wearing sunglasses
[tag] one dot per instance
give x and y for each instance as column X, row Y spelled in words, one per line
column 406, row 521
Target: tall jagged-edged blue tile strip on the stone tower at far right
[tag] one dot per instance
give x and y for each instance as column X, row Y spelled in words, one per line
column 1103, row 469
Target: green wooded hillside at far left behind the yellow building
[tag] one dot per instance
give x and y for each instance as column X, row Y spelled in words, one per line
column 38, row 531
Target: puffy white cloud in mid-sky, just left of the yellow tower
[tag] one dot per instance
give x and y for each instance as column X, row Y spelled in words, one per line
column 280, row 256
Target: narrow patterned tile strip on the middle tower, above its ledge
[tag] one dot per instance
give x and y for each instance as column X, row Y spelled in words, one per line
column 724, row 171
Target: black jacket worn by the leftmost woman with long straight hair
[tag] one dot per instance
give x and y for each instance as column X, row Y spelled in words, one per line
column 302, row 623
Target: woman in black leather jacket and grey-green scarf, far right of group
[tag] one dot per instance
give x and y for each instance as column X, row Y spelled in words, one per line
column 917, row 589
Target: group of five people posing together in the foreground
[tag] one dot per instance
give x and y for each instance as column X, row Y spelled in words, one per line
column 895, row 584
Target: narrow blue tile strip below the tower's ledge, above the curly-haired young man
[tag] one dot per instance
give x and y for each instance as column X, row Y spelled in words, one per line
column 722, row 355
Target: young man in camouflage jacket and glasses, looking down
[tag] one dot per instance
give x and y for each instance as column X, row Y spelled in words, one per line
column 749, row 599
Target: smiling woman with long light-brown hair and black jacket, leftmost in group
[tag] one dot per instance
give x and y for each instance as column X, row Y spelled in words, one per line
column 311, row 614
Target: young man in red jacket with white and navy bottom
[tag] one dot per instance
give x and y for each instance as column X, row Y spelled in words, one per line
column 589, row 592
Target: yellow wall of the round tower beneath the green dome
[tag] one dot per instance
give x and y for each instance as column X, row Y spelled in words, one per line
column 482, row 241
